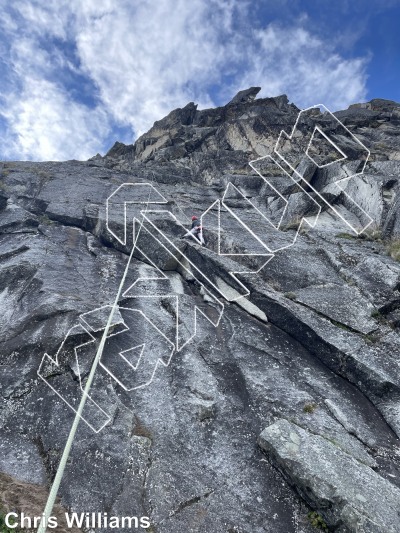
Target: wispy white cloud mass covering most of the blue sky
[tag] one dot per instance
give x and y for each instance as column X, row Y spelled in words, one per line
column 147, row 58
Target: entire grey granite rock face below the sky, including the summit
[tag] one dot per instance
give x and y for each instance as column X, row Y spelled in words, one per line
column 247, row 425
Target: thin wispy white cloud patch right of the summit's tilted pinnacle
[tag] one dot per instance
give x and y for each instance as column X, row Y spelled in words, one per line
column 292, row 61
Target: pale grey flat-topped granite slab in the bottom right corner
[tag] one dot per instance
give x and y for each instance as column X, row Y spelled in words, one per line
column 336, row 482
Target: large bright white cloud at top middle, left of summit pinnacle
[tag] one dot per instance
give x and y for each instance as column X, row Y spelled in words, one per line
column 154, row 57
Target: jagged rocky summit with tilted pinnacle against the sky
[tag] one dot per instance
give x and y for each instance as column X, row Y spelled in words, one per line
column 187, row 130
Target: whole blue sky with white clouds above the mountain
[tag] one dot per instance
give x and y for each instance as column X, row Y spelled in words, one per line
column 77, row 75
